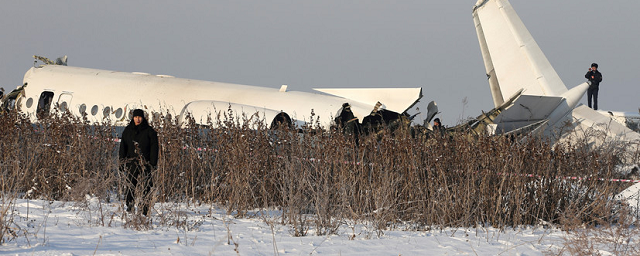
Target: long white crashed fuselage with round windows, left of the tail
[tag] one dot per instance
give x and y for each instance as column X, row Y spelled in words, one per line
column 110, row 96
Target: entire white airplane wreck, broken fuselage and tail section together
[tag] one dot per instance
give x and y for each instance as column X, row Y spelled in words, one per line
column 528, row 94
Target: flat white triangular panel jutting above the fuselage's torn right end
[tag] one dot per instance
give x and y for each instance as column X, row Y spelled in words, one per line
column 395, row 99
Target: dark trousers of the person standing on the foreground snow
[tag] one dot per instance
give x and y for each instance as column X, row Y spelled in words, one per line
column 138, row 175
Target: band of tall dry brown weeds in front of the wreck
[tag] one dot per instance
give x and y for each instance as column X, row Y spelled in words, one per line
column 318, row 178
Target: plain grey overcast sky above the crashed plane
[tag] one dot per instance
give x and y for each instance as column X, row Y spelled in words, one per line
column 314, row 44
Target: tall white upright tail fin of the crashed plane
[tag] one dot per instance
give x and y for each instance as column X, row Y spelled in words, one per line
column 513, row 60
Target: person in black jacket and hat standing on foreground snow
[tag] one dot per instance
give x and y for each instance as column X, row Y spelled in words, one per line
column 138, row 156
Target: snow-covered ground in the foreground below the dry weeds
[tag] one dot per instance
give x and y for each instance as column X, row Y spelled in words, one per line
column 91, row 228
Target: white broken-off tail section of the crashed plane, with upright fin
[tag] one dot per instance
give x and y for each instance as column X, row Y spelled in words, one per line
column 520, row 75
